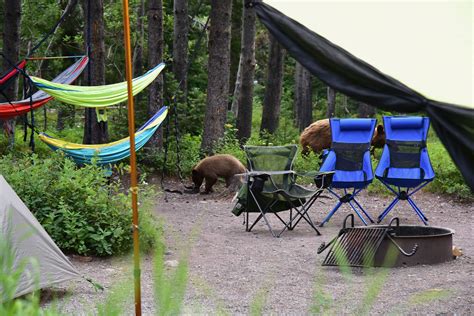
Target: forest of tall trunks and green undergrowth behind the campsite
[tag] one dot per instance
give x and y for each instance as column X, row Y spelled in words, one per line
column 226, row 81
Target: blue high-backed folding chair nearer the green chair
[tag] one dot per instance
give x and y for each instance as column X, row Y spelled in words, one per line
column 349, row 157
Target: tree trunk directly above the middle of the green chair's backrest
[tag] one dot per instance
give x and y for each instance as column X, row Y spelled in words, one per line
column 272, row 98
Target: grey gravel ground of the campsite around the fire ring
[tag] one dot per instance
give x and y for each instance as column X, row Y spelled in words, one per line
column 229, row 269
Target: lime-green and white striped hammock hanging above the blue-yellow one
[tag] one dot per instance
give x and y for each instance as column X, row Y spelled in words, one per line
column 96, row 96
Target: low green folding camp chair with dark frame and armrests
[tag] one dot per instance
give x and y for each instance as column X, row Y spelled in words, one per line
column 271, row 188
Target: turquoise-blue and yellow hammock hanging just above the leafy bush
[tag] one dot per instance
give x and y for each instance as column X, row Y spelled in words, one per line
column 107, row 153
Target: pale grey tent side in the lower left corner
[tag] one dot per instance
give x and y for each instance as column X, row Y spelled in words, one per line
column 29, row 240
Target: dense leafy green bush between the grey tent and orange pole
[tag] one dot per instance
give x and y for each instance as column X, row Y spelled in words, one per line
column 80, row 209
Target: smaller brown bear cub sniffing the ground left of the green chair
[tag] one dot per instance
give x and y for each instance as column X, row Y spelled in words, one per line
column 213, row 167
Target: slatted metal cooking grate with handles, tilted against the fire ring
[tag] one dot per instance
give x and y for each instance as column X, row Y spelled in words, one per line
column 357, row 246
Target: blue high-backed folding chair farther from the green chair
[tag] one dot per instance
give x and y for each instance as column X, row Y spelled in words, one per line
column 405, row 162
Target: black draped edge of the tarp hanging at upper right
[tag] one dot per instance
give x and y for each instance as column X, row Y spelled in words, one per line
column 355, row 78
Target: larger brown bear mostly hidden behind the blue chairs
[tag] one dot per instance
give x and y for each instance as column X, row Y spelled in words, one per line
column 317, row 137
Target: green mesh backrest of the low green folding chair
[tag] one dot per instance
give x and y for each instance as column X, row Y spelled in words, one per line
column 271, row 158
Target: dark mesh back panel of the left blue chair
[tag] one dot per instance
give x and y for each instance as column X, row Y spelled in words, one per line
column 350, row 156
